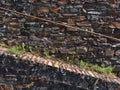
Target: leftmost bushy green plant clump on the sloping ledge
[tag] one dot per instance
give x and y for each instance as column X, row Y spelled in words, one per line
column 17, row 49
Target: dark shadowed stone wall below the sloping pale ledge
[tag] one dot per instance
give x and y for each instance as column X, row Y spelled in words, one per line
column 25, row 74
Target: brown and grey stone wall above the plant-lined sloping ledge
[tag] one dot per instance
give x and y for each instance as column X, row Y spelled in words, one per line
column 96, row 15
